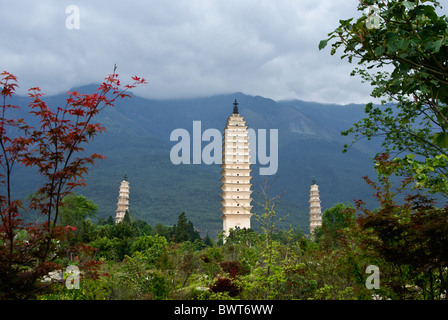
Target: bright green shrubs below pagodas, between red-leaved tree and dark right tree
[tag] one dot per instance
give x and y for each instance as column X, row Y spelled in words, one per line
column 270, row 265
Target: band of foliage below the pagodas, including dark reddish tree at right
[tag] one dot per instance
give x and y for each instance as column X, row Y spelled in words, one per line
column 407, row 246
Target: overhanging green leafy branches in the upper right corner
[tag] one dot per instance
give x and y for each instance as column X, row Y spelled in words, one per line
column 409, row 38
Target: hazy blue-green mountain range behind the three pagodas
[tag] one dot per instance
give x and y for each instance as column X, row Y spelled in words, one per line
column 137, row 141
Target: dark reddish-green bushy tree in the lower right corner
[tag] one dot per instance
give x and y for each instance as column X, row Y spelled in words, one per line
column 411, row 237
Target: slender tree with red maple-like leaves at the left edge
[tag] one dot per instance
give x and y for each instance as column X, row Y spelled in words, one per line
column 53, row 148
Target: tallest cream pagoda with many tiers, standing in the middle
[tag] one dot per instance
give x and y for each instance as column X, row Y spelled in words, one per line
column 236, row 177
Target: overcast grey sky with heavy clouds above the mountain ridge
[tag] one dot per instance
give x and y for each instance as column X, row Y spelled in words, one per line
column 184, row 48
